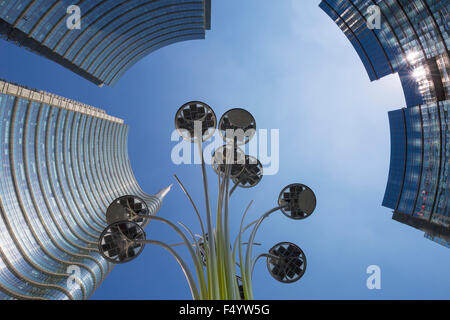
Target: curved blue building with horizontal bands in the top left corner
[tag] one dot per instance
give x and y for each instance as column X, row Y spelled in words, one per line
column 111, row 36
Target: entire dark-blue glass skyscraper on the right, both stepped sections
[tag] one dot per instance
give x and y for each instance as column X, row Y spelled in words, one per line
column 409, row 37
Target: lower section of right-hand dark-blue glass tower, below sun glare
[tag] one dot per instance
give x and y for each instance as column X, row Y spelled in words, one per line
column 418, row 185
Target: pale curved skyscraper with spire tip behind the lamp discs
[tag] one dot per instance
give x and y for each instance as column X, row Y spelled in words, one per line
column 62, row 163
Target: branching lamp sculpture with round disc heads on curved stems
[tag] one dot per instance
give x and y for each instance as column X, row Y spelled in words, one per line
column 216, row 258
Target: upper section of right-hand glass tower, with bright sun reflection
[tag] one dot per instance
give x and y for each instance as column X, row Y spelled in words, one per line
column 412, row 40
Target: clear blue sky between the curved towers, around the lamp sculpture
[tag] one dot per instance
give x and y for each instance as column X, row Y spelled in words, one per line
column 294, row 70
